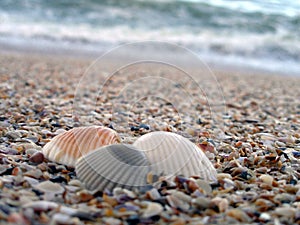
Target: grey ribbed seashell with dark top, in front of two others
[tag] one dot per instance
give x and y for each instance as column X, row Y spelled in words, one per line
column 111, row 166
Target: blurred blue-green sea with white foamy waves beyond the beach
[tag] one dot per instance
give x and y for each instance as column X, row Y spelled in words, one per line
column 258, row 34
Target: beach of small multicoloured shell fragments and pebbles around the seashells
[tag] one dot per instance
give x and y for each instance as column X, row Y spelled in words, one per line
column 253, row 141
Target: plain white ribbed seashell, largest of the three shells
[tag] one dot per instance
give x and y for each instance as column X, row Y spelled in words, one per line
column 171, row 154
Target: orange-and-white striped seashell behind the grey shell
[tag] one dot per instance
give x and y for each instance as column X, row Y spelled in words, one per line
column 66, row 148
